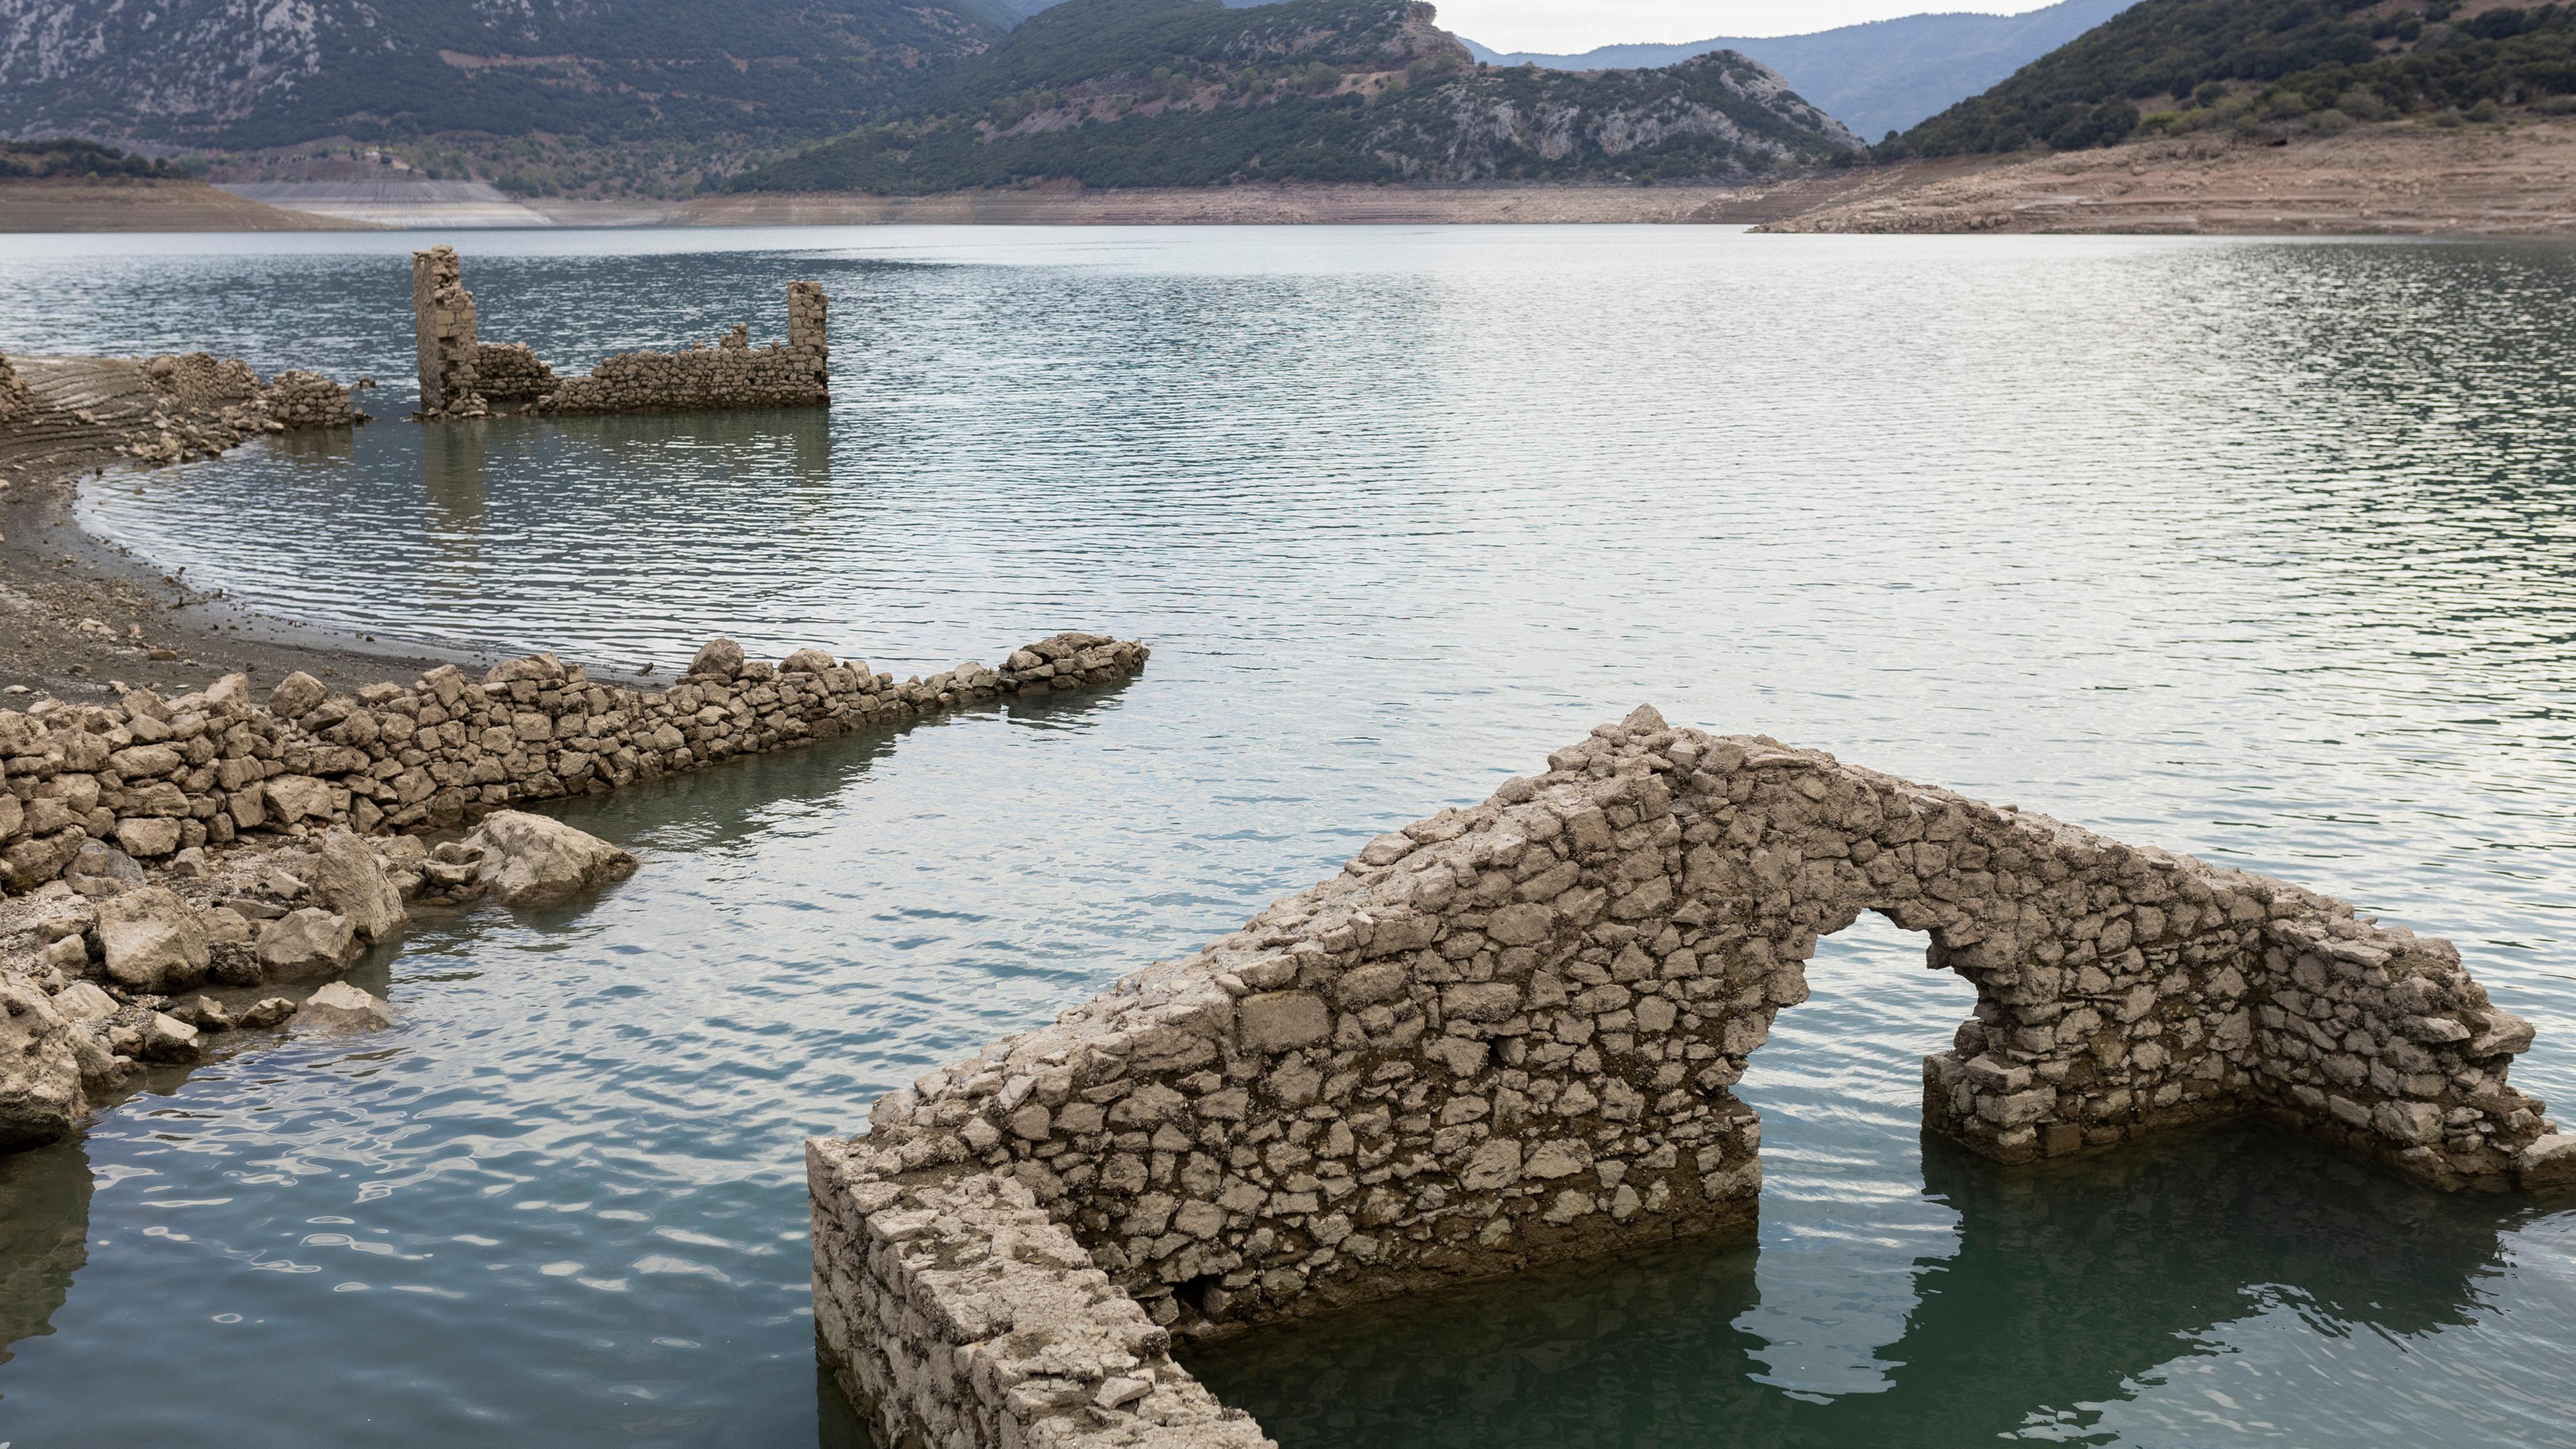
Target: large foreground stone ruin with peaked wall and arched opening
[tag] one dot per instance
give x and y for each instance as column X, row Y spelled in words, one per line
column 1508, row 1035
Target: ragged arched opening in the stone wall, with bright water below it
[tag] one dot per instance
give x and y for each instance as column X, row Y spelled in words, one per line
column 1846, row 1218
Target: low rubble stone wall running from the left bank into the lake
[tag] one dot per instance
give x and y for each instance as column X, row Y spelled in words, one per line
column 164, row 775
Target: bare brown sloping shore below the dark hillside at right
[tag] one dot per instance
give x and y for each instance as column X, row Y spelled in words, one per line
column 2410, row 179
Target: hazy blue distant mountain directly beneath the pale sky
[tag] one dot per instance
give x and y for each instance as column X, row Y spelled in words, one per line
column 1882, row 76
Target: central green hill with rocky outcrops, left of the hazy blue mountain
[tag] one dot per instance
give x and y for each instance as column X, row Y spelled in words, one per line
column 1199, row 94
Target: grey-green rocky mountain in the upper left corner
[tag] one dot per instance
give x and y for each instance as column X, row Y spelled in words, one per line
column 622, row 94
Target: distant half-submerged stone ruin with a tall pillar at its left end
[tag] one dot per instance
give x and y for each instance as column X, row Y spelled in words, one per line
column 465, row 378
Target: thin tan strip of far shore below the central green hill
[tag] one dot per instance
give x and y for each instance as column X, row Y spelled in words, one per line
column 1274, row 205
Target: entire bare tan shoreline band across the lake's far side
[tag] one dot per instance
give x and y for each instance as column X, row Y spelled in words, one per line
column 2405, row 179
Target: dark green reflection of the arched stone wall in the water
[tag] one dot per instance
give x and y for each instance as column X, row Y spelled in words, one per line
column 2067, row 1285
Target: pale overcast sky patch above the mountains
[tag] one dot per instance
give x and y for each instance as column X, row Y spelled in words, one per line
column 1583, row 24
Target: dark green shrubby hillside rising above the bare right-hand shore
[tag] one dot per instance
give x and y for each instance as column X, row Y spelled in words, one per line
column 2268, row 68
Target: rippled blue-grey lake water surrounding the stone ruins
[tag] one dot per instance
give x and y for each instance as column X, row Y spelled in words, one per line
column 2258, row 550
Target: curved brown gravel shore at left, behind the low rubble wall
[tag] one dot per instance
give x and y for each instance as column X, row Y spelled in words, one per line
column 79, row 612
